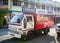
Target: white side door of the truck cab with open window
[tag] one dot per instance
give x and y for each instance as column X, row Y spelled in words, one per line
column 29, row 22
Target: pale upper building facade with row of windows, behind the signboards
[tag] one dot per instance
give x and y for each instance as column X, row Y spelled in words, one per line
column 45, row 5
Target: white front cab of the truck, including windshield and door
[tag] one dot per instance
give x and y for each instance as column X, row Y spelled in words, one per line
column 20, row 25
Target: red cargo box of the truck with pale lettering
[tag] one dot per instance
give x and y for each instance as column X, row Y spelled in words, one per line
column 43, row 21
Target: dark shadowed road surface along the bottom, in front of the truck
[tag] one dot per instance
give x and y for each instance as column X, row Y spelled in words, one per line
column 39, row 39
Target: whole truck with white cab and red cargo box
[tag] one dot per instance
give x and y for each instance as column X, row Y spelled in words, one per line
column 27, row 25
